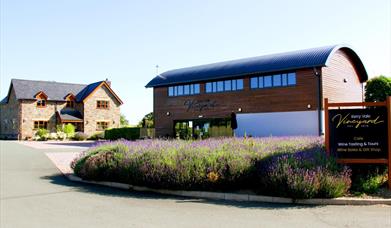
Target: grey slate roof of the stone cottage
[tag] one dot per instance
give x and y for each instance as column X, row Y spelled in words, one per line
column 56, row 91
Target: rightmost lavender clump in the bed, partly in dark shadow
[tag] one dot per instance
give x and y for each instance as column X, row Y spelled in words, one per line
column 303, row 174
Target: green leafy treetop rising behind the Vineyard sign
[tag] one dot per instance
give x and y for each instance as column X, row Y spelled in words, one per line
column 378, row 89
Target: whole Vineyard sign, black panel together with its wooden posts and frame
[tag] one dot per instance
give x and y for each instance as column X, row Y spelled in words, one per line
column 361, row 135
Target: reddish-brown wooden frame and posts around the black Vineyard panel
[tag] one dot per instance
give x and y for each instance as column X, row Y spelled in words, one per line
column 387, row 104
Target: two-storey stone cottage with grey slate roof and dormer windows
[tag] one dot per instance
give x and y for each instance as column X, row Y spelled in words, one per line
column 31, row 105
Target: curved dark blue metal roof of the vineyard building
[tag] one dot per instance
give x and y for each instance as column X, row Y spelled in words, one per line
column 315, row 57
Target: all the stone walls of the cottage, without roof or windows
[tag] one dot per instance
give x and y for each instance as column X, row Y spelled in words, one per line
column 17, row 117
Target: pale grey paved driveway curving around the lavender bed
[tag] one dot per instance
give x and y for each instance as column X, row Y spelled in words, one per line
column 34, row 194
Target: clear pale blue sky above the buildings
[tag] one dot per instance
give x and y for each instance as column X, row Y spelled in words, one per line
column 83, row 41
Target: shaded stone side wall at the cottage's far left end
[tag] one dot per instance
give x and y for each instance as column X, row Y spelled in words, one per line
column 9, row 118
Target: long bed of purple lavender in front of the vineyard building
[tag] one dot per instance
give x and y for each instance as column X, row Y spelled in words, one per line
column 283, row 166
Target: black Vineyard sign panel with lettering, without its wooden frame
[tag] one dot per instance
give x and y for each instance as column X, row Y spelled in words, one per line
column 358, row 133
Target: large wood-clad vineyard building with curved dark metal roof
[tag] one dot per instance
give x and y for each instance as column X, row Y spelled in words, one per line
column 272, row 95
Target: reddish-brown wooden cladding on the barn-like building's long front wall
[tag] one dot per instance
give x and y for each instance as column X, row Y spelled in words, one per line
column 220, row 105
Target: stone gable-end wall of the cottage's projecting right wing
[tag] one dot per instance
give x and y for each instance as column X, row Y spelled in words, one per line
column 92, row 114
